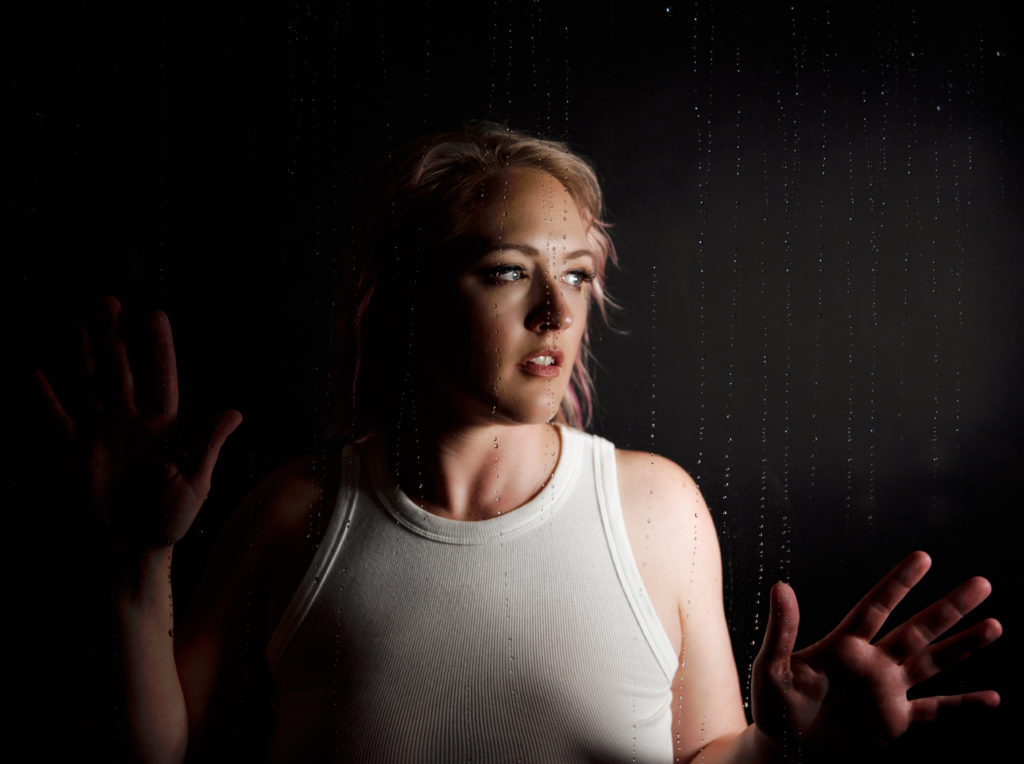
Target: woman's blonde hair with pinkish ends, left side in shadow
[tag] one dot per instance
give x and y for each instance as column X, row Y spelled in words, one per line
column 432, row 190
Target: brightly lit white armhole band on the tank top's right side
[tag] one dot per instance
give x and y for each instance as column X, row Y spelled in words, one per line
column 622, row 555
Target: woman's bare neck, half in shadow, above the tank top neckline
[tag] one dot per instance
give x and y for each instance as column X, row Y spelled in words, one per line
column 475, row 473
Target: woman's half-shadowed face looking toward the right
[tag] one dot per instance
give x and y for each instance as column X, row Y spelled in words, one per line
column 513, row 328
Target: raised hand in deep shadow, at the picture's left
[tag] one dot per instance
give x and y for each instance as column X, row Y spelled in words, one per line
column 123, row 450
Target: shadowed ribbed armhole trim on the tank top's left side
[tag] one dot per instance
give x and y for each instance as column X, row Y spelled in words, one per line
column 319, row 569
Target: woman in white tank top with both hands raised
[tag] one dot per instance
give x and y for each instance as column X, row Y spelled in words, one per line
column 485, row 580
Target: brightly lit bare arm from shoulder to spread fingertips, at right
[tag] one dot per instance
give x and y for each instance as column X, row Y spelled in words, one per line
column 840, row 698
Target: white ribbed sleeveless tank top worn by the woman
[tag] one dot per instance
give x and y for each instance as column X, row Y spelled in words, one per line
column 524, row 639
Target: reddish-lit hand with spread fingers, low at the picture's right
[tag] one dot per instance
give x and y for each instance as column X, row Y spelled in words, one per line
column 846, row 695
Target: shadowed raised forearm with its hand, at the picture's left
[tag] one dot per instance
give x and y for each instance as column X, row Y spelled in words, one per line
column 141, row 488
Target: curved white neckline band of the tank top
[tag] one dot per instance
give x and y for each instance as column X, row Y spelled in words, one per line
column 495, row 530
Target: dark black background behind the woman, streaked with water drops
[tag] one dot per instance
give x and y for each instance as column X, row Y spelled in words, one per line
column 817, row 206
